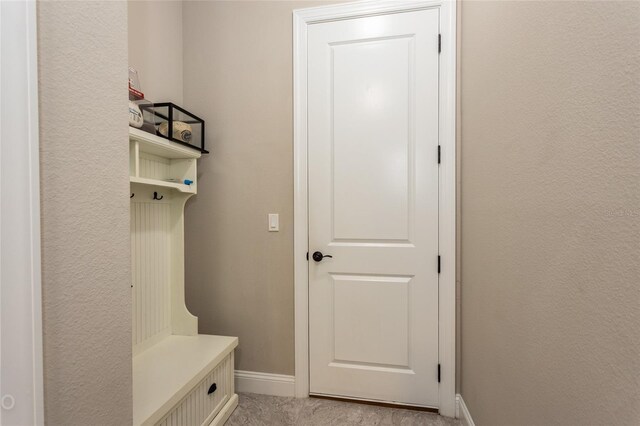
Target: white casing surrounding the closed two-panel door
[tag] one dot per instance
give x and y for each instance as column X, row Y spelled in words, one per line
column 447, row 186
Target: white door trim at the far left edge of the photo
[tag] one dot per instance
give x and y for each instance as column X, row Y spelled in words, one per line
column 22, row 400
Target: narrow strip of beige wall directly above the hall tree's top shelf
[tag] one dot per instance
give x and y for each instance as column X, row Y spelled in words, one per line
column 155, row 48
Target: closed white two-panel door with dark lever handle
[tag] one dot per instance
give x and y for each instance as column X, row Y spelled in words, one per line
column 373, row 206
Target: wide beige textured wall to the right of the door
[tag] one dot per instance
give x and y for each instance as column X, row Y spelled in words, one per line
column 551, row 212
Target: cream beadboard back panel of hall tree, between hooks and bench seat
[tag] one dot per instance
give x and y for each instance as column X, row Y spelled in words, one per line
column 150, row 261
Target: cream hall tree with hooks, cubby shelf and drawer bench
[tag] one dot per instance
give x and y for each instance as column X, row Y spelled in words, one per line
column 180, row 378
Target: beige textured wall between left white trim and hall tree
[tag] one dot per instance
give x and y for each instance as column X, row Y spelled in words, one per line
column 86, row 275
